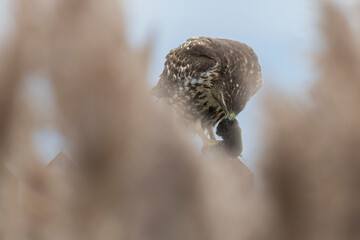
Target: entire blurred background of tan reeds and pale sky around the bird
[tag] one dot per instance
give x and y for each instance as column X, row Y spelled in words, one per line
column 133, row 174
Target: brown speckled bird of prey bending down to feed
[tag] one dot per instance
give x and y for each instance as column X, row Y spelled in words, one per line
column 208, row 80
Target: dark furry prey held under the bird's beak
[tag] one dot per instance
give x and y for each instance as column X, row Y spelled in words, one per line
column 230, row 132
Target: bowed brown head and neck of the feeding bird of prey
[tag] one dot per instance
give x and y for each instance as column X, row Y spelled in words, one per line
column 239, row 76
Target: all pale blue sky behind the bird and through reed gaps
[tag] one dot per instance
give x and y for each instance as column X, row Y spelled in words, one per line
column 281, row 32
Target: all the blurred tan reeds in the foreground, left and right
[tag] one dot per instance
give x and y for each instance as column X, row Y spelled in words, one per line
column 132, row 172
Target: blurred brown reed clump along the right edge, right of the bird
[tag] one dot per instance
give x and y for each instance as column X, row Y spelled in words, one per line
column 313, row 152
